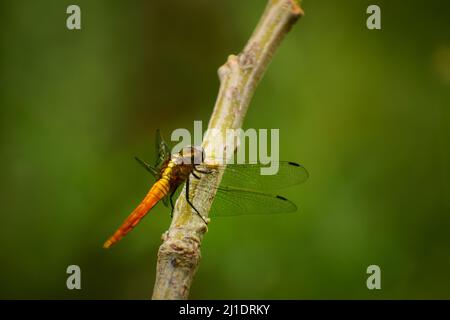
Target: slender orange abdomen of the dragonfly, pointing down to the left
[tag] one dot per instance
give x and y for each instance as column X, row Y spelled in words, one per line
column 158, row 191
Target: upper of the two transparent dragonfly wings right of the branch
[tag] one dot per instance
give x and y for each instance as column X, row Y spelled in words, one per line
column 248, row 176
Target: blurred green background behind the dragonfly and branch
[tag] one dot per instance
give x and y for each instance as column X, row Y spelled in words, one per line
column 367, row 112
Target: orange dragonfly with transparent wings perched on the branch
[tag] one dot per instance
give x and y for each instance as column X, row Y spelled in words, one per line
column 243, row 190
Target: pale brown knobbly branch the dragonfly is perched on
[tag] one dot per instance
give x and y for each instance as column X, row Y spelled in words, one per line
column 179, row 254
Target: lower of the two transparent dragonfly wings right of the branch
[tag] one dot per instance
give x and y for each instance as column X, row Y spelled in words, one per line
column 231, row 201
